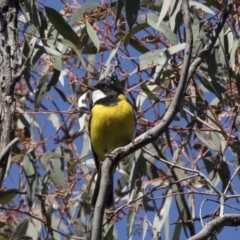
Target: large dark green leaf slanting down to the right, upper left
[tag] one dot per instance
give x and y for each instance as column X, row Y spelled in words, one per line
column 62, row 26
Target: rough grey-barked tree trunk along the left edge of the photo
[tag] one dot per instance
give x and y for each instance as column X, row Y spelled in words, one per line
column 8, row 69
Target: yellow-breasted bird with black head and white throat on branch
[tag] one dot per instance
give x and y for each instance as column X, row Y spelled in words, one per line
column 112, row 125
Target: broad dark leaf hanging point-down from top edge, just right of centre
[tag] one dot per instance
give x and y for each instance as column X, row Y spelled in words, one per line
column 132, row 8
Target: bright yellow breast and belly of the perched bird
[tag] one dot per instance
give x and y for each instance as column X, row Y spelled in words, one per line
column 111, row 126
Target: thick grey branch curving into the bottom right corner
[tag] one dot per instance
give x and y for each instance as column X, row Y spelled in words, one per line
column 230, row 220
